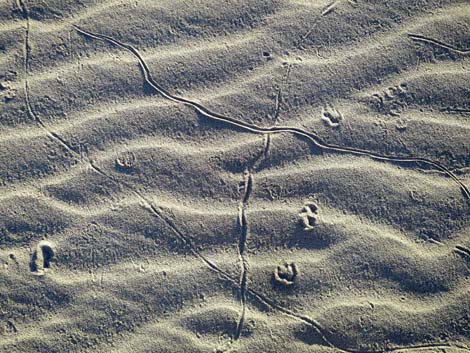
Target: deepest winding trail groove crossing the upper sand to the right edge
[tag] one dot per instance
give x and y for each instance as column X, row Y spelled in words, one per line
column 315, row 139
